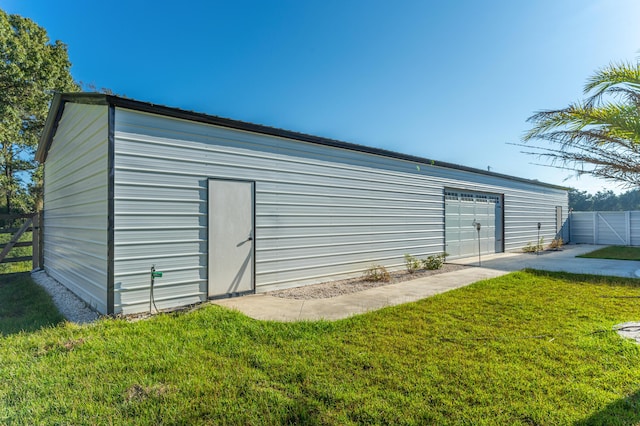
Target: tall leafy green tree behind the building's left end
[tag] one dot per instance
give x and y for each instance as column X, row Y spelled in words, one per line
column 31, row 70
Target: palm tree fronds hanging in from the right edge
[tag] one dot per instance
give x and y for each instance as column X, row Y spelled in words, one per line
column 599, row 136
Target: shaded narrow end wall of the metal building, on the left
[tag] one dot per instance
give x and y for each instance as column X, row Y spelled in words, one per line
column 75, row 204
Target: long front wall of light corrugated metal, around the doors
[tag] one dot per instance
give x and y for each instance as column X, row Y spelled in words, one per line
column 321, row 213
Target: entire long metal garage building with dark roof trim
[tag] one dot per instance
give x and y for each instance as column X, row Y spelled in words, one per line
column 224, row 207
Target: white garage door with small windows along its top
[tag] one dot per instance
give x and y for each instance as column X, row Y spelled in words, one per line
column 462, row 211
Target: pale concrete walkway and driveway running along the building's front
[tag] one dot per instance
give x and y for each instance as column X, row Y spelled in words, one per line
column 266, row 307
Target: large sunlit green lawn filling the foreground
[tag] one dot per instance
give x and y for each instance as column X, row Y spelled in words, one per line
column 527, row 348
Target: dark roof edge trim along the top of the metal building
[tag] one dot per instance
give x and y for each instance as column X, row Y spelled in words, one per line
column 103, row 99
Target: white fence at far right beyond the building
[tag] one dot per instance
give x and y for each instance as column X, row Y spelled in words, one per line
column 613, row 228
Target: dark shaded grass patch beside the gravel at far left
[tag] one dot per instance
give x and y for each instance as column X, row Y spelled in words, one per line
column 24, row 305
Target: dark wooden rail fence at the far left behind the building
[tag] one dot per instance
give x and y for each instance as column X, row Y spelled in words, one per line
column 17, row 225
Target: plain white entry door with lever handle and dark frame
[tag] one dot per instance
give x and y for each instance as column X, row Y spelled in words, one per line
column 231, row 237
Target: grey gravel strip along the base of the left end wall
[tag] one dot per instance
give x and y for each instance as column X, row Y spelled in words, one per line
column 70, row 306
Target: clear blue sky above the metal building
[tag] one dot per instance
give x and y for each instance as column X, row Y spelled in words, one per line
column 452, row 81
